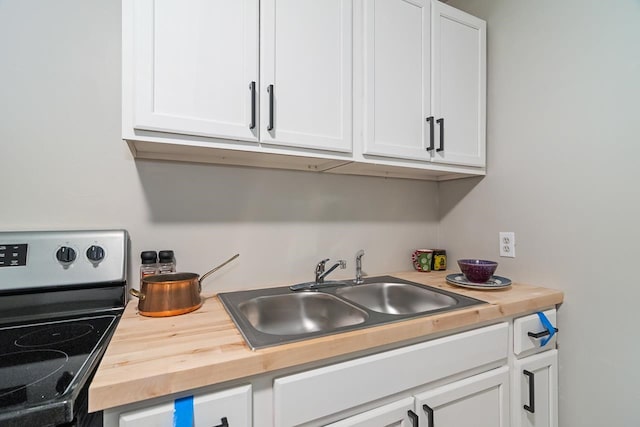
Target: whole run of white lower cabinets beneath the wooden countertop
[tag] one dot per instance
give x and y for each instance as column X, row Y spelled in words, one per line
column 493, row 376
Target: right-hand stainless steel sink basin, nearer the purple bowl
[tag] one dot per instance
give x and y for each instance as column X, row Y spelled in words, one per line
column 396, row 298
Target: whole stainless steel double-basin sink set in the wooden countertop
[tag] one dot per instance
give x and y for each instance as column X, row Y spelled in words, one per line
column 273, row 316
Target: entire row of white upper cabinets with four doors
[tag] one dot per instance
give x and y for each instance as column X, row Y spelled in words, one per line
column 392, row 88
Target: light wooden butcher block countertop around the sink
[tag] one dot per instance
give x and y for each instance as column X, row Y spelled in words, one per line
column 152, row 357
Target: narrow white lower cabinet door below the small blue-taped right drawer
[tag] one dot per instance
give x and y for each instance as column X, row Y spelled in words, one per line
column 535, row 384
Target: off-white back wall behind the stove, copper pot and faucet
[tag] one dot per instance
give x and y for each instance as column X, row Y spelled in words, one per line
column 64, row 165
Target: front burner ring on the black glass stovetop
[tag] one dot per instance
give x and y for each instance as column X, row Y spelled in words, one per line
column 14, row 382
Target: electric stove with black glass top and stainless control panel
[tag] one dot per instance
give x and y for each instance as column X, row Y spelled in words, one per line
column 61, row 296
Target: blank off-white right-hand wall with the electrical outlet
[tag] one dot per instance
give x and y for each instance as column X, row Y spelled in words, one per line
column 563, row 172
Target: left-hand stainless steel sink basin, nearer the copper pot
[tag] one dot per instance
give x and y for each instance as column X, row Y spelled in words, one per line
column 301, row 313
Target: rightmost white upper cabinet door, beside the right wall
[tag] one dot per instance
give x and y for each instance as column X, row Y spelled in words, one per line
column 458, row 86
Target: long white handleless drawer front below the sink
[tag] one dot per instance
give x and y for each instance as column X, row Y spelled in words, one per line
column 355, row 382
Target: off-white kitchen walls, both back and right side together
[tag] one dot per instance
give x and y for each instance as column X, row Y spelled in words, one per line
column 563, row 131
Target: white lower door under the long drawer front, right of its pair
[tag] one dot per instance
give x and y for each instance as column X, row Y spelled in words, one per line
column 479, row 401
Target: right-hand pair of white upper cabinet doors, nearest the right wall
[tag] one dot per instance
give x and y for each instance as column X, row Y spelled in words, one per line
column 423, row 79
